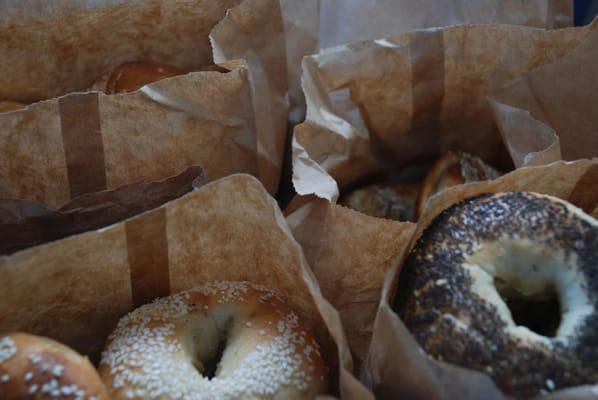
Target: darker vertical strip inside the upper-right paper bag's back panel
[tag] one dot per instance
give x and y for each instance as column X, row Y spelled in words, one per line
column 426, row 51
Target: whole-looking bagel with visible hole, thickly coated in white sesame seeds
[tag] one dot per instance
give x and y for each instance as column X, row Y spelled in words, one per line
column 227, row 340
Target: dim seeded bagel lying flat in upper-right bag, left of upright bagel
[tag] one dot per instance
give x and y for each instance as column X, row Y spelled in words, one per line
column 384, row 200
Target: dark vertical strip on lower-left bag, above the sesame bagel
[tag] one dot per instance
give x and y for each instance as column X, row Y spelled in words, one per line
column 147, row 248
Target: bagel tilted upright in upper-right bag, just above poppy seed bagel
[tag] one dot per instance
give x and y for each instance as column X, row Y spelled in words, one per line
column 454, row 168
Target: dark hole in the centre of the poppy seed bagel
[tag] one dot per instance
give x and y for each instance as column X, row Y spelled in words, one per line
column 539, row 312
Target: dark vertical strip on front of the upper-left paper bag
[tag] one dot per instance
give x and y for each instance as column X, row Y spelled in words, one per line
column 83, row 146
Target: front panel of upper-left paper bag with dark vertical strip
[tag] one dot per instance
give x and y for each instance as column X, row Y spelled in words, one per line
column 56, row 150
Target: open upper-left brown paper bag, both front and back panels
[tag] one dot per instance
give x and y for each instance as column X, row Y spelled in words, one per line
column 88, row 142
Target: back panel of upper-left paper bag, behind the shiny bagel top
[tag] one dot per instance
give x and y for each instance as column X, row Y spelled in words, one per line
column 51, row 50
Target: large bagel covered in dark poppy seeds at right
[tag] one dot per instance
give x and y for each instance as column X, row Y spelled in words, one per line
column 507, row 284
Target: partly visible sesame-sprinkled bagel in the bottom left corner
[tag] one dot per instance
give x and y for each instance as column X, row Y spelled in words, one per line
column 33, row 367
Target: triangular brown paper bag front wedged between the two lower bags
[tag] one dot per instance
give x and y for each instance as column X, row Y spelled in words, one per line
column 350, row 254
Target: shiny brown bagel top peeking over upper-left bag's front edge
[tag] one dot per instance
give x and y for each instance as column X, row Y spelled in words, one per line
column 131, row 76
